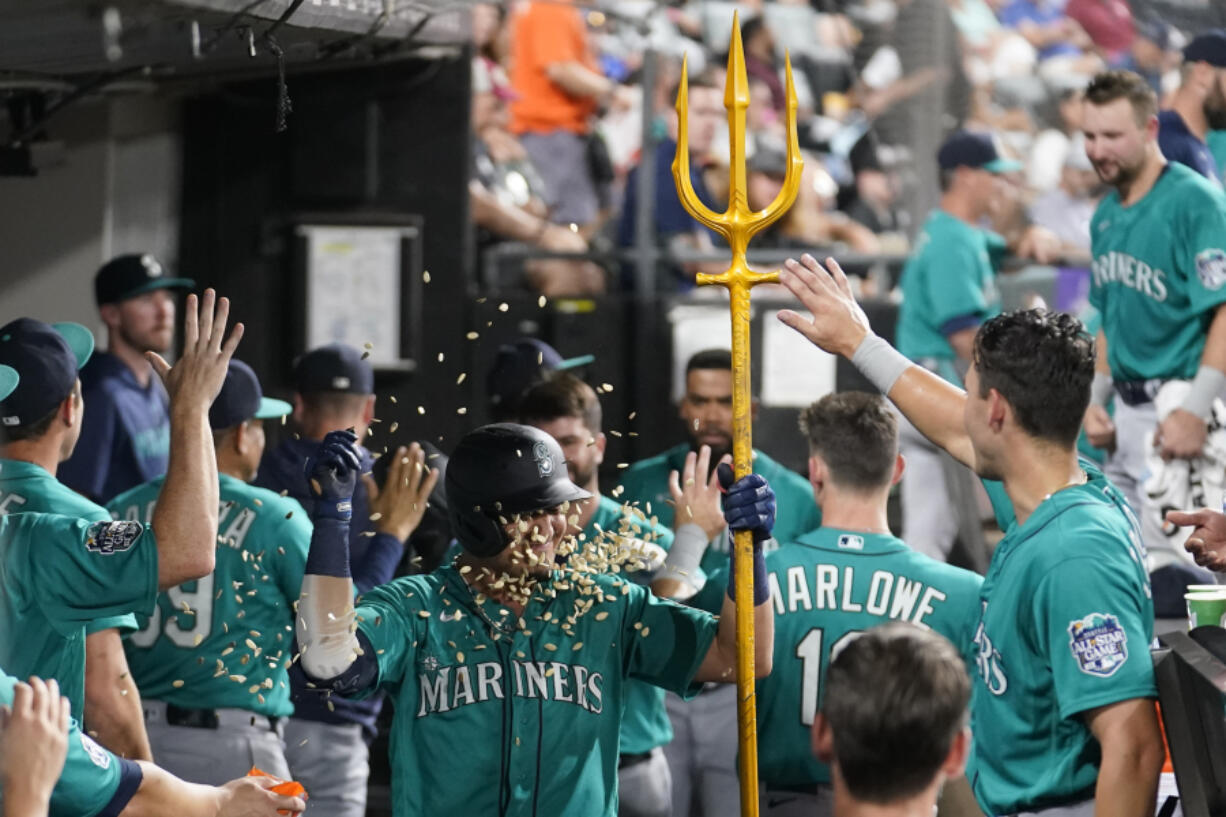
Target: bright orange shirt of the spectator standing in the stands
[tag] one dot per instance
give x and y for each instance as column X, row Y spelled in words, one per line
column 546, row 34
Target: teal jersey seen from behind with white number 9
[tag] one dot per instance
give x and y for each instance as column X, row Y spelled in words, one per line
column 225, row 641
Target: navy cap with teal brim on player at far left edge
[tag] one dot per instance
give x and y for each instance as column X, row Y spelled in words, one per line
column 47, row 359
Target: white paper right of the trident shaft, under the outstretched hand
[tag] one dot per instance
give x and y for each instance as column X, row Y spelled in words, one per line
column 795, row 372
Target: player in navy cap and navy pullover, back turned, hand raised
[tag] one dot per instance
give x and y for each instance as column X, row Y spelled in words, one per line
column 327, row 740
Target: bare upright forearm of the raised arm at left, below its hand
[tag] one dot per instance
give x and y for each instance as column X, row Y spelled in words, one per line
column 186, row 516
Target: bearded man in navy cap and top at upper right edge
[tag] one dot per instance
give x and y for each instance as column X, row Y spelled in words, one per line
column 1198, row 107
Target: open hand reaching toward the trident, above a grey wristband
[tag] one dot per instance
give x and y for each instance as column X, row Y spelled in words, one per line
column 838, row 324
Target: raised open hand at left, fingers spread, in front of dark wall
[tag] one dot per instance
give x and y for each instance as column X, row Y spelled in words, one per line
column 198, row 376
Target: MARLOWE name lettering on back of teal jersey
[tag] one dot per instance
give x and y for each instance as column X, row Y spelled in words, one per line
column 826, row 588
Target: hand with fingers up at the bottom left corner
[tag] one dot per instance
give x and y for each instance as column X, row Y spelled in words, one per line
column 34, row 744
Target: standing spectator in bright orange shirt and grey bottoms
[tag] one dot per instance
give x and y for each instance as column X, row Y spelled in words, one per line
column 560, row 88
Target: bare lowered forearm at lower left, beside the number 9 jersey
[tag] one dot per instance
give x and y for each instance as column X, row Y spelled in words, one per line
column 113, row 711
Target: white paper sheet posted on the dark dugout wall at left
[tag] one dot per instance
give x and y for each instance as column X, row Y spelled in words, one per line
column 354, row 289
